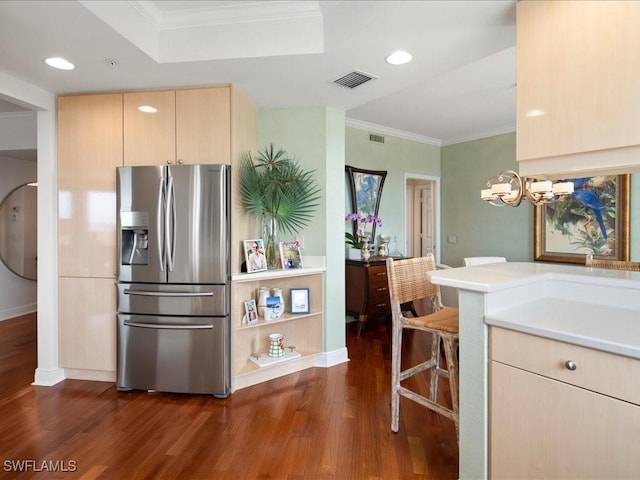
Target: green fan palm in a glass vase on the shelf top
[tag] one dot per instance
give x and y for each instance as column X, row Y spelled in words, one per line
column 277, row 191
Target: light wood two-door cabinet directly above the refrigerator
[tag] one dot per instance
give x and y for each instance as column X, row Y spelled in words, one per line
column 191, row 126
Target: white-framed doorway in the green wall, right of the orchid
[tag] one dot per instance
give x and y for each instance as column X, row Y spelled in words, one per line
column 422, row 194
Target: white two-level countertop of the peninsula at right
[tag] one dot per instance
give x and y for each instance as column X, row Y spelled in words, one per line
column 594, row 308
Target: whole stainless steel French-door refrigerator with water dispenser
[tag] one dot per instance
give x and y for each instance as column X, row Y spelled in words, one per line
column 173, row 276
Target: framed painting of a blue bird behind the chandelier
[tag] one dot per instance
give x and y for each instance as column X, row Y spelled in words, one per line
column 593, row 220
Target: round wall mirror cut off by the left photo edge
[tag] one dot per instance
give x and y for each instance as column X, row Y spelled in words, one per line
column 18, row 231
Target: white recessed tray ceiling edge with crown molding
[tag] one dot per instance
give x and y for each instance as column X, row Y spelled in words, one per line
column 218, row 31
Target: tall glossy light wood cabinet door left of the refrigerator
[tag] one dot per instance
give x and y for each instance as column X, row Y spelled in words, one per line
column 89, row 150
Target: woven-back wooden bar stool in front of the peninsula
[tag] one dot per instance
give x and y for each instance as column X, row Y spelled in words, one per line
column 408, row 282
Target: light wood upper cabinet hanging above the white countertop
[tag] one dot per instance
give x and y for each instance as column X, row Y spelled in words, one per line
column 578, row 94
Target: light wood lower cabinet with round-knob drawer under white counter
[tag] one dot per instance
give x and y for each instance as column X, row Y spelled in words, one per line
column 545, row 427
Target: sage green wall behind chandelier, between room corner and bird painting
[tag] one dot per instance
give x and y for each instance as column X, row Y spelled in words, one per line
column 481, row 229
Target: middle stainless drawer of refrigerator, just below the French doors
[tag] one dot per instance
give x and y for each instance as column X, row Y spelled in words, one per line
column 158, row 299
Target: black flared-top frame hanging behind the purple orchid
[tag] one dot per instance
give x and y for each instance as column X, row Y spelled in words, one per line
column 365, row 187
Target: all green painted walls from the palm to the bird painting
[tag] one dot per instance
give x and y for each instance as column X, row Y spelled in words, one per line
column 319, row 139
